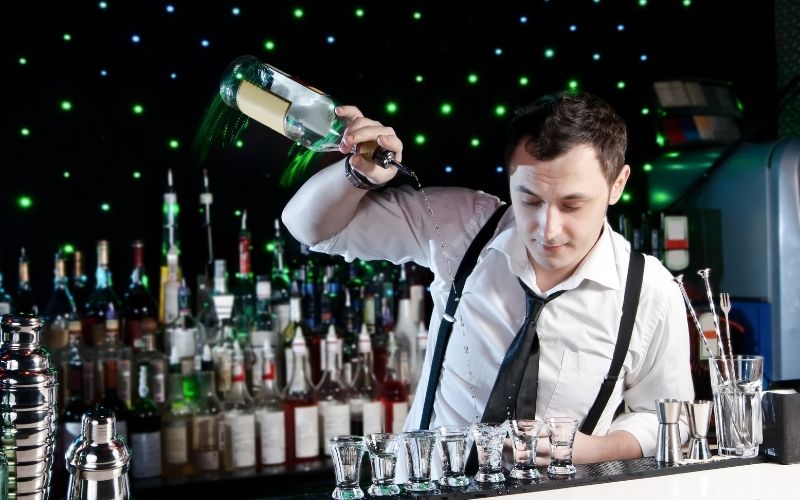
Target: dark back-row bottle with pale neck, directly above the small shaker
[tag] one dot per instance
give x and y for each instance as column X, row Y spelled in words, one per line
column 102, row 303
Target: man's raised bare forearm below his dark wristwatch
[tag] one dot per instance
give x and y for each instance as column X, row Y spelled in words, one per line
column 323, row 205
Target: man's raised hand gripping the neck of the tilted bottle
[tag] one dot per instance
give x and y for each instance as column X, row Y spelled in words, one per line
column 362, row 130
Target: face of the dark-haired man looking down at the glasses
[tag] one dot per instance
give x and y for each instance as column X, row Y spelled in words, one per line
column 560, row 207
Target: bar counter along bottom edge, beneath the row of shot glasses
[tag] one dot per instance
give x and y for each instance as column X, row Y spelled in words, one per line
column 731, row 479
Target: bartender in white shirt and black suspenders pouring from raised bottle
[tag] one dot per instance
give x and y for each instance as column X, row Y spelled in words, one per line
column 538, row 306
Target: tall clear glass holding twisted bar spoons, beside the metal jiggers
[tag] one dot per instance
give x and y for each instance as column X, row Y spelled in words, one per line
column 736, row 386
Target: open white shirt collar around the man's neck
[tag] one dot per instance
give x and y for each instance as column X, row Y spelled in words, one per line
column 599, row 266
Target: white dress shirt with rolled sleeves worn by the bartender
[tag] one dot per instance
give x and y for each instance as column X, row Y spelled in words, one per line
column 577, row 331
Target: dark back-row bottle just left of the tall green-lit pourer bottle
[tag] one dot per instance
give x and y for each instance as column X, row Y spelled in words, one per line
column 138, row 303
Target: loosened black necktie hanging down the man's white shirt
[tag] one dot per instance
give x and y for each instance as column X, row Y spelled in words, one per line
column 514, row 390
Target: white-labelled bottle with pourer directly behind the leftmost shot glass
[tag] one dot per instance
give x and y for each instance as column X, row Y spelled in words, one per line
column 334, row 408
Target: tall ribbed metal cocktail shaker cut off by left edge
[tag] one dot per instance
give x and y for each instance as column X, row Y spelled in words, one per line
column 28, row 392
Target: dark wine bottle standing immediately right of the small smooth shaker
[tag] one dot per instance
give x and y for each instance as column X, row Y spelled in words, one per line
column 145, row 430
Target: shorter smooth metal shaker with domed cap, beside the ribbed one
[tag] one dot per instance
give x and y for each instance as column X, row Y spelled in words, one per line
column 98, row 460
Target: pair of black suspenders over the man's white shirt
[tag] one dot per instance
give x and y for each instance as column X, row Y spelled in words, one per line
column 630, row 305
